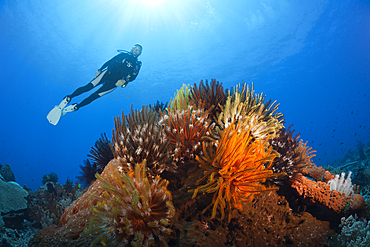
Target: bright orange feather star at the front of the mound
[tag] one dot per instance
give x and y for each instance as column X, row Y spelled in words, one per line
column 235, row 170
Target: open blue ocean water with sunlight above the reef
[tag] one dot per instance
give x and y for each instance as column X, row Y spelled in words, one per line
column 312, row 57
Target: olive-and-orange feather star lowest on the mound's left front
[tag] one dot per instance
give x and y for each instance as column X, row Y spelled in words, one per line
column 132, row 210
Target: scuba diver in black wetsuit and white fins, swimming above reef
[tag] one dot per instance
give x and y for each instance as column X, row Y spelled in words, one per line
column 117, row 72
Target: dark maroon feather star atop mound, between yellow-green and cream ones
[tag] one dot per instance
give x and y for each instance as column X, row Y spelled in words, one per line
column 207, row 96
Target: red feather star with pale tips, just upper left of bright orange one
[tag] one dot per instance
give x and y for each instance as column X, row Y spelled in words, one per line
column 185, row 130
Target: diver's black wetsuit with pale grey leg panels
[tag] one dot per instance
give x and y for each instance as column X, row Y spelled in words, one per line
column 123, row 66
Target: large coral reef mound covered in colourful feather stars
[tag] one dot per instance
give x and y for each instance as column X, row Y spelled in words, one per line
column 208, row 157
